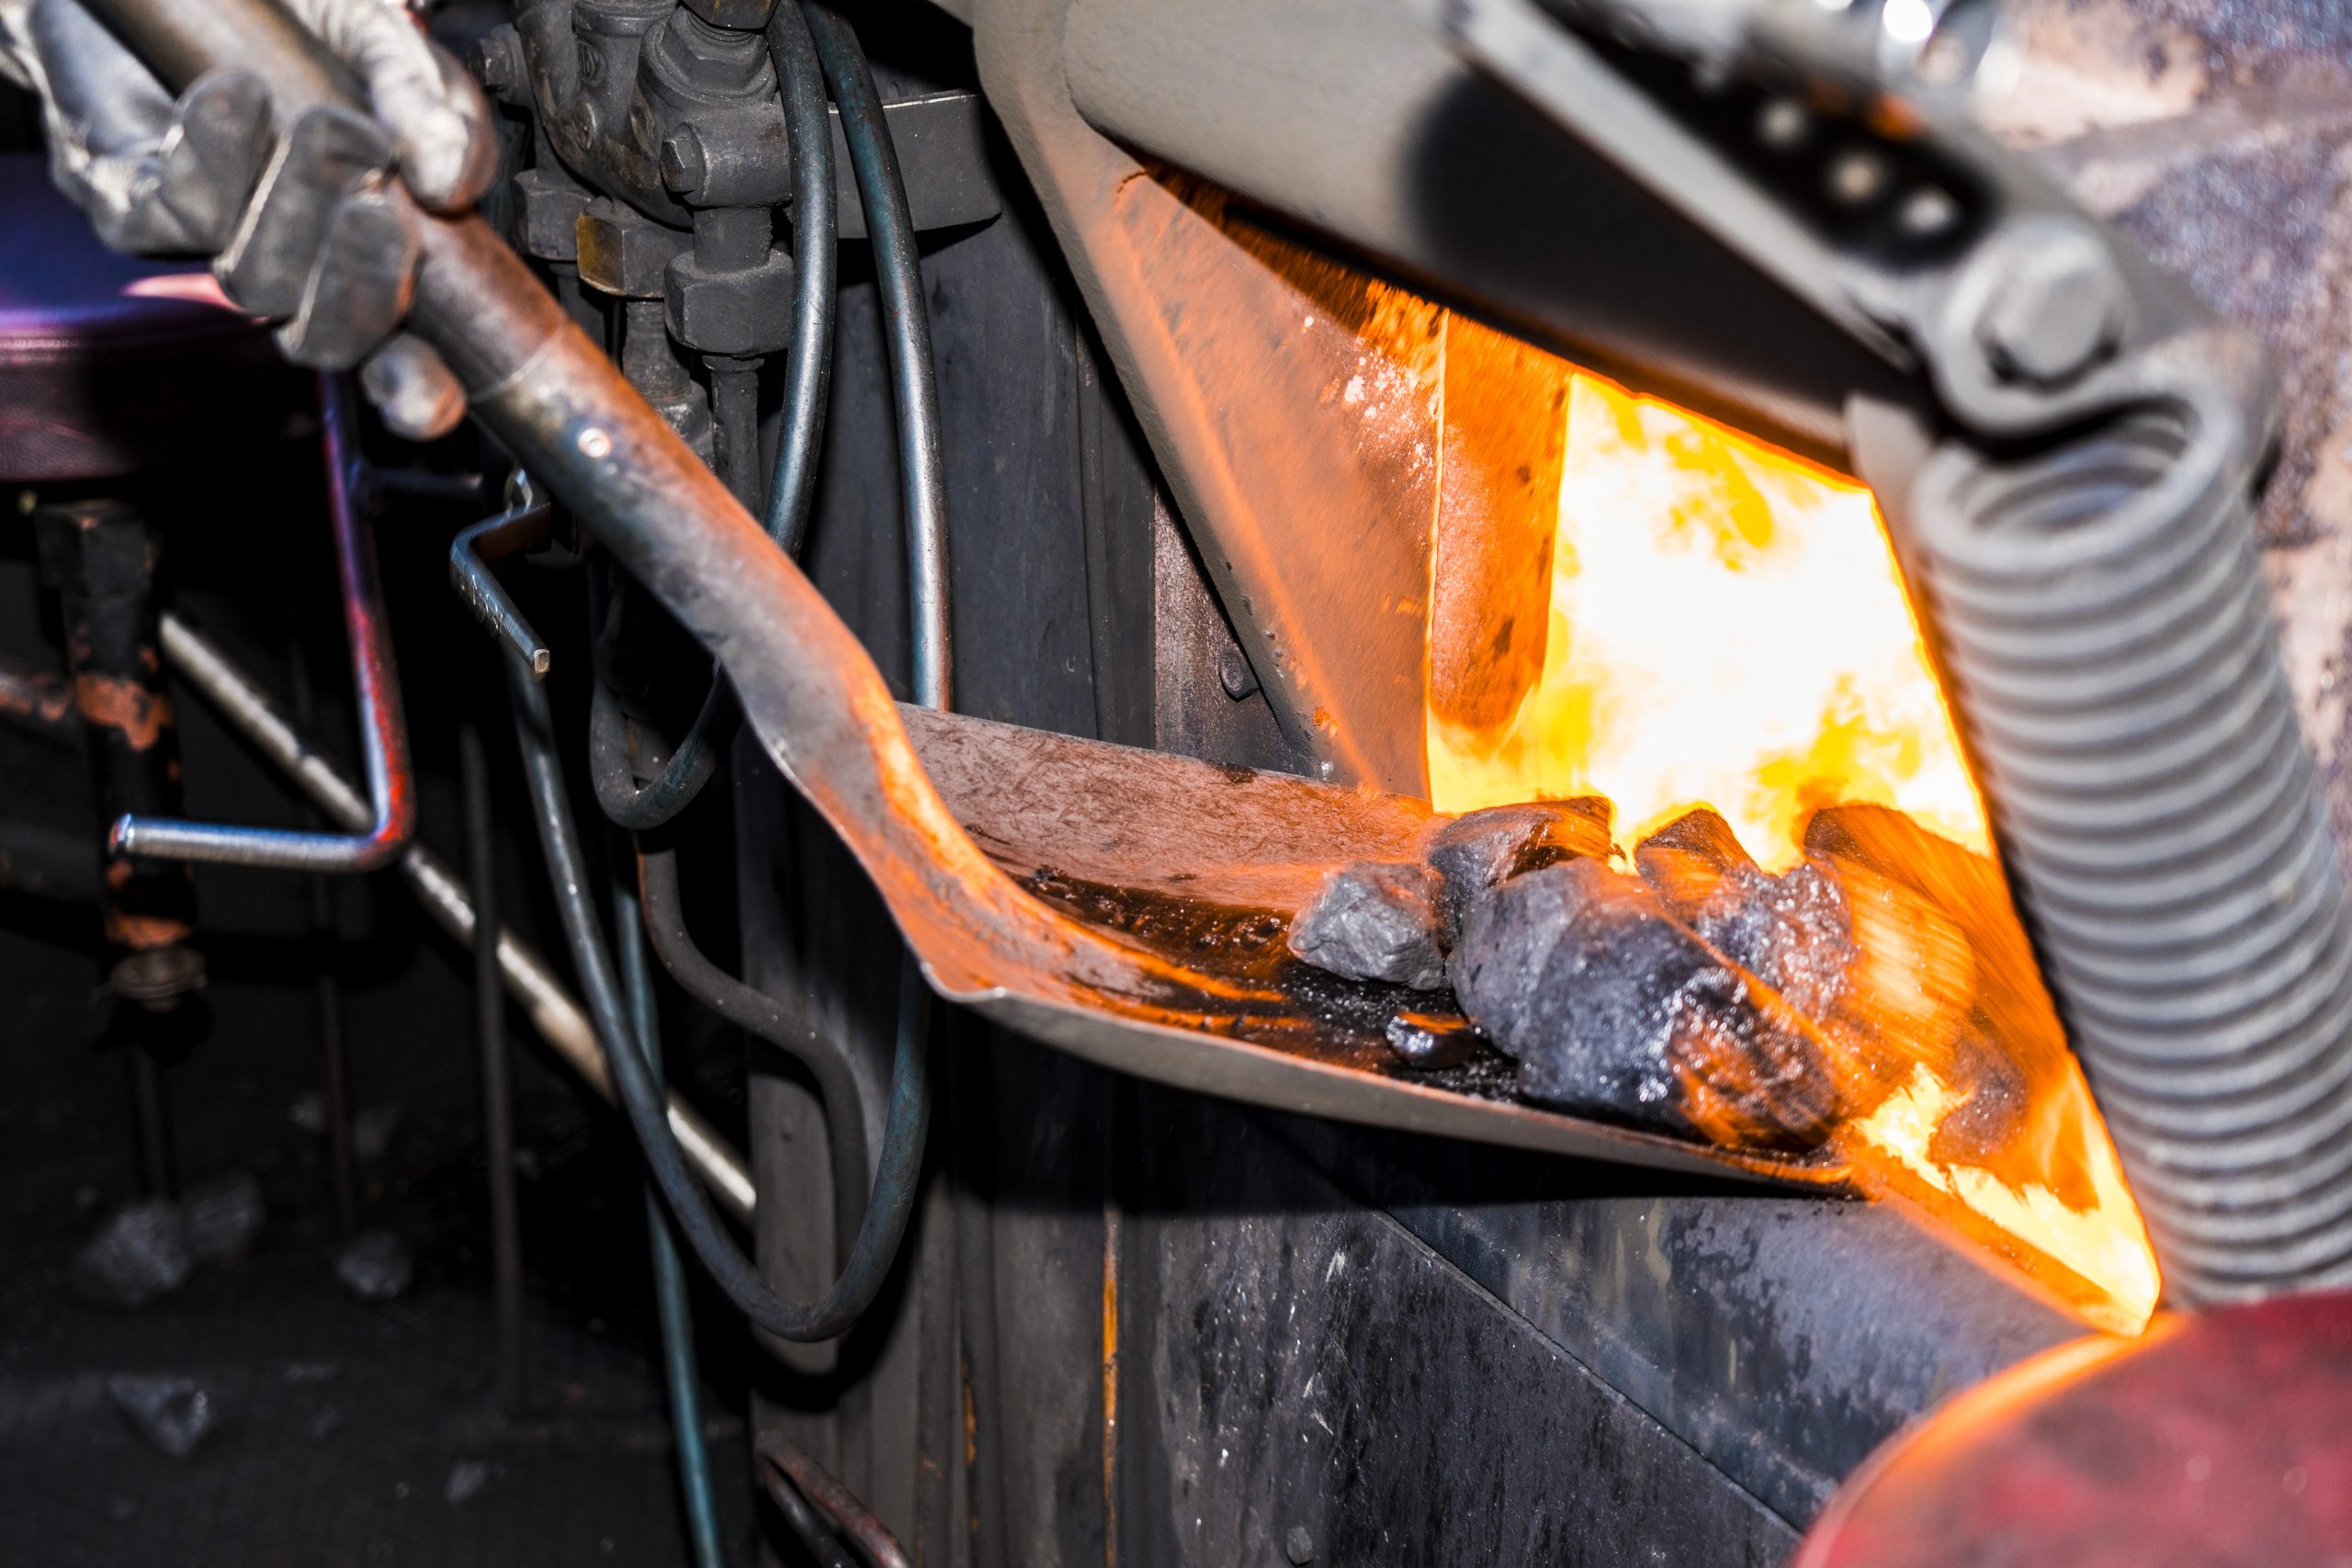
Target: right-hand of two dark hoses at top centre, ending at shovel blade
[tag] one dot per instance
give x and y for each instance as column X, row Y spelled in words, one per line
column 909, row 335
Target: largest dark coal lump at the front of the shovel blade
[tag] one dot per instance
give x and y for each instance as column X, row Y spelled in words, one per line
column 1617, row 1010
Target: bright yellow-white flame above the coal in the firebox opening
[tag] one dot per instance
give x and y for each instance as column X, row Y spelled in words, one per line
column 1728, row 629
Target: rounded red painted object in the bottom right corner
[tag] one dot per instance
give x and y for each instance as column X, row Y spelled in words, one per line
column 2214, row 1442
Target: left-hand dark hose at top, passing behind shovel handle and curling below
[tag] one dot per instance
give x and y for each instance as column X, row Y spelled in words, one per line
column 808, row 377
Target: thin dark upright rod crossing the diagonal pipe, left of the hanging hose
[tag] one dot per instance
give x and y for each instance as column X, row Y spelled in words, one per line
column 497, row 1083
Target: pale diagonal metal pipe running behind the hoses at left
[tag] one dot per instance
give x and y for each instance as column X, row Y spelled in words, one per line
column 439, row 890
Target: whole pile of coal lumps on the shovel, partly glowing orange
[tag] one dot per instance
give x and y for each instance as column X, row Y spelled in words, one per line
column 1697, row 993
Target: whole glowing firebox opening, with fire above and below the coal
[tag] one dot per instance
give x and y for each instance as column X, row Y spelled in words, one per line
column 1728, row 629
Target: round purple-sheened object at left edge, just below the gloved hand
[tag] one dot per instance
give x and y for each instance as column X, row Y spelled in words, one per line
column 112, row 366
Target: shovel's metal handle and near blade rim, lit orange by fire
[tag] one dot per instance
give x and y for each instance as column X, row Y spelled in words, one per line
column 815, row 697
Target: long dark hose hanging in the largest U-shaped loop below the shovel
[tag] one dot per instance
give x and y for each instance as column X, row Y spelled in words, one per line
column 643, row 1101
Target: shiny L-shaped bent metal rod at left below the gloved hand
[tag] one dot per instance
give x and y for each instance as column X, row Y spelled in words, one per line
column 385, row 744
